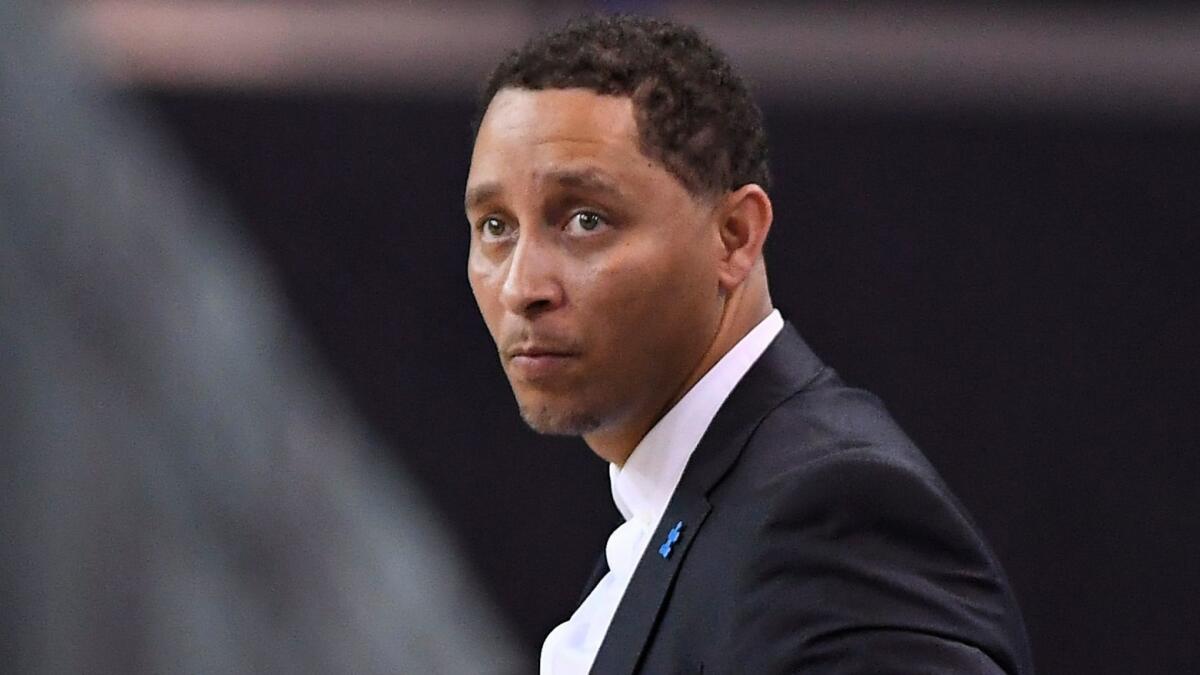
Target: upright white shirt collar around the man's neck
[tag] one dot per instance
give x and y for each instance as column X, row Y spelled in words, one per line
column 644, row 486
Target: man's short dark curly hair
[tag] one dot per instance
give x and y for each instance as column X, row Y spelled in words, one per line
column 695, row 116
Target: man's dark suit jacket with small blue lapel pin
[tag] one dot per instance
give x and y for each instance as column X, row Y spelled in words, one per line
column 815, row 539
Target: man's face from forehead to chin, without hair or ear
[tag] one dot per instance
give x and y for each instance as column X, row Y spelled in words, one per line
column 595, row 270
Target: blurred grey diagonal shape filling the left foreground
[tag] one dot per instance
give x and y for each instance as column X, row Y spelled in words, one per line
column 182, row 491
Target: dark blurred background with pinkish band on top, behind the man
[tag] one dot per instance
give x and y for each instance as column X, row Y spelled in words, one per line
column 989, row 217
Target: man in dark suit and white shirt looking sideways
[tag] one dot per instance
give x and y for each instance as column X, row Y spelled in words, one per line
column 776, row 521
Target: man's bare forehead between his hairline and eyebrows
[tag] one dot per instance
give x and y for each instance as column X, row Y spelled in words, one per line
column 539, row 132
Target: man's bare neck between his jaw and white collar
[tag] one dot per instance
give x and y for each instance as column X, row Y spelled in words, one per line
column 743, row 309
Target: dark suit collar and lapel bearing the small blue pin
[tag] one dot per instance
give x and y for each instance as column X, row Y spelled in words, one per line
column 785, row 368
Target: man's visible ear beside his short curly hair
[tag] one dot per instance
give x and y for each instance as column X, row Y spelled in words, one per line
column 745, row 223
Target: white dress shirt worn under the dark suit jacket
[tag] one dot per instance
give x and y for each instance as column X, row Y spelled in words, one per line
column 641, row 489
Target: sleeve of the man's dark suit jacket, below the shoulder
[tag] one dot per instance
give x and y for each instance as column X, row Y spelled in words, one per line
column 867, row 564
